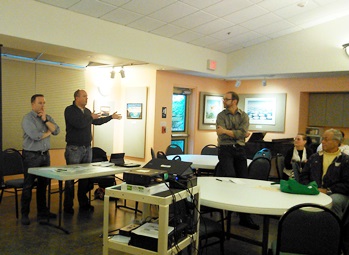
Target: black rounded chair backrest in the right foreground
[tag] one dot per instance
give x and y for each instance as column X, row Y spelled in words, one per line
column 309, row 229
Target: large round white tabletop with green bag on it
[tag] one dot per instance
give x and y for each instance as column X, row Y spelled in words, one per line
column 252, row 196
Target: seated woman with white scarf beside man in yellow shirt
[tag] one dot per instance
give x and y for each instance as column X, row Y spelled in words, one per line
column 299, row 154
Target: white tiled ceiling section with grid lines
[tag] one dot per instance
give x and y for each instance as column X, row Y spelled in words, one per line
column 220, row 25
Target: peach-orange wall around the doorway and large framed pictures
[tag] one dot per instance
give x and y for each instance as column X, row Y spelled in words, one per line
column 297, row 90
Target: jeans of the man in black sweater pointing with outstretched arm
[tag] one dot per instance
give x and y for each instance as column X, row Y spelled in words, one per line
column 77, row 155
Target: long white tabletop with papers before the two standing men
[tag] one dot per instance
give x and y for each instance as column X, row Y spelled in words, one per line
column 78, row 171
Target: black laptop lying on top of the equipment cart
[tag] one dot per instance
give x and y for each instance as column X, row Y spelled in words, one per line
column 173, row 167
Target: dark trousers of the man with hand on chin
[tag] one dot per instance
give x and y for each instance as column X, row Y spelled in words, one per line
column 33, row 159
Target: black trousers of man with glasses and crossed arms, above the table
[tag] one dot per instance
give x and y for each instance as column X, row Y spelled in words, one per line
column 233, row 161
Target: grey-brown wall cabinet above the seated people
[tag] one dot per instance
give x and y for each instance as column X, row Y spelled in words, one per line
column 328, row 109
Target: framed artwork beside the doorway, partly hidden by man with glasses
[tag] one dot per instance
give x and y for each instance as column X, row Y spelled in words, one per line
column 210, row 106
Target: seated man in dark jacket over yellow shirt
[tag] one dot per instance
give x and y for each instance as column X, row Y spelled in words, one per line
column 329, row 168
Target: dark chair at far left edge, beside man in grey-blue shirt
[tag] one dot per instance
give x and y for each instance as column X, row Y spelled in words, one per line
column 12, row 165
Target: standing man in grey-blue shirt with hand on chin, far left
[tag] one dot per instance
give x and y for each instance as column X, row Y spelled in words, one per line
column 38, row 128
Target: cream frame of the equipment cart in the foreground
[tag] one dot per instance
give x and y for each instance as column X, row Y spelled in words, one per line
column 163, row 202
